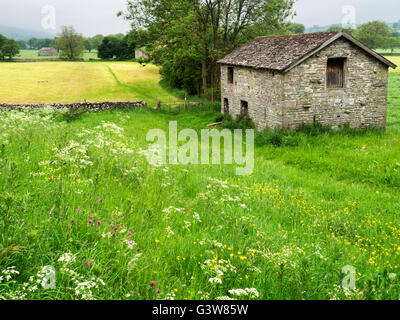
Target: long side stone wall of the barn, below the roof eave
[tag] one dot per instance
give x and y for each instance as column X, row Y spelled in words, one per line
column 262, row 90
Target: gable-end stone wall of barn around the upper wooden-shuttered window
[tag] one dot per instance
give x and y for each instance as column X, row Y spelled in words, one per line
column 361, row 103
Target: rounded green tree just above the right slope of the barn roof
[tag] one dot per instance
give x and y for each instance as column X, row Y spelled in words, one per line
column 375, row 34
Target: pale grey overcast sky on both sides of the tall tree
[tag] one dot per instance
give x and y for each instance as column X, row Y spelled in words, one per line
column 91, row 17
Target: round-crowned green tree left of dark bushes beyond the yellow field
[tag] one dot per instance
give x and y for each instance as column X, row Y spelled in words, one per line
column 70, row 43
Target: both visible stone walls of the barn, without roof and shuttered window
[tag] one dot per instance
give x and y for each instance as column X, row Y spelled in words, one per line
column 301, row 95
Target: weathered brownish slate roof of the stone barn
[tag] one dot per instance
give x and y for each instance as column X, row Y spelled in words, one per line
column 283, row 53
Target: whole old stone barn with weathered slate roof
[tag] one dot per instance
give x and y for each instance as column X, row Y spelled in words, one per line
column 285, row 81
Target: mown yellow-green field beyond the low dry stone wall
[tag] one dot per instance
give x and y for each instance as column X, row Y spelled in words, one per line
column 65, row 82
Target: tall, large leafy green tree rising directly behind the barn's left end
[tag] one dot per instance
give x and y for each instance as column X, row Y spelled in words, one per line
column 202, row 31
